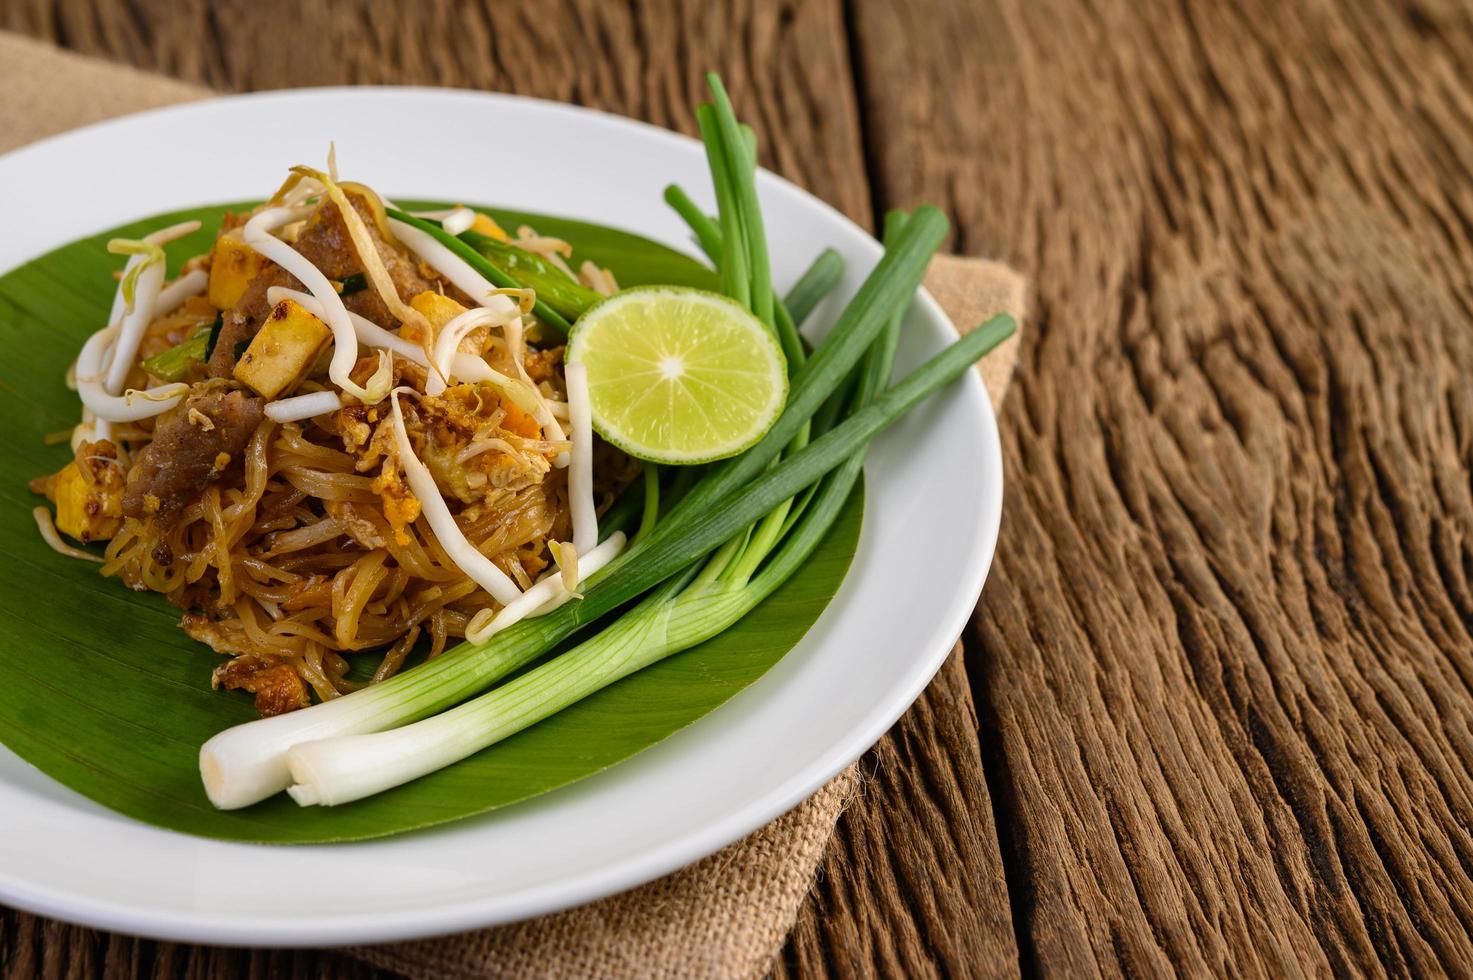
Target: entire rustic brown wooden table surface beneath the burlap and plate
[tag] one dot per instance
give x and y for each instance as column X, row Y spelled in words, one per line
column 1216, row 711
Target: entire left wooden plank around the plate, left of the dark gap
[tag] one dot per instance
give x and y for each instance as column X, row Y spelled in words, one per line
column 914, row 882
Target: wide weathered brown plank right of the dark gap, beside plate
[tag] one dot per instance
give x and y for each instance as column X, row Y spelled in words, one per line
column 1225, row 657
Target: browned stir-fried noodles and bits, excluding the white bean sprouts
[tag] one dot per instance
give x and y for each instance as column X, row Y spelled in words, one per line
column 307, row 547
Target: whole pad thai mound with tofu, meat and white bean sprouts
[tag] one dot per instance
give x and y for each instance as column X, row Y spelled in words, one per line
column 328, row 437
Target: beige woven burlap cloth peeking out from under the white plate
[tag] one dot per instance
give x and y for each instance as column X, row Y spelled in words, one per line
column 723, row 917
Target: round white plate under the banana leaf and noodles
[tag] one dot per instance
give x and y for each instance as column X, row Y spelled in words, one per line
column 930, row 525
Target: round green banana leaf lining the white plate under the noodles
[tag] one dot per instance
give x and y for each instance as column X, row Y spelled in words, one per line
column 101, row 690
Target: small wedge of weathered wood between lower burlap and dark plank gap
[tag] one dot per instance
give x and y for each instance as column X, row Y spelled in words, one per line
column 913, row 885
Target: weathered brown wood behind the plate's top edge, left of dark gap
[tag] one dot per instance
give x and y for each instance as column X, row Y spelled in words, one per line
column 644, row 61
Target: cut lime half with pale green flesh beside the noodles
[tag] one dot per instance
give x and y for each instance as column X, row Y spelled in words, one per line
column 680, row 375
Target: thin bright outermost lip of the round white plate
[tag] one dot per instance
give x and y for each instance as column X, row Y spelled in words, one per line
column 631, row 870
